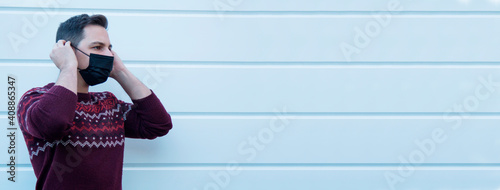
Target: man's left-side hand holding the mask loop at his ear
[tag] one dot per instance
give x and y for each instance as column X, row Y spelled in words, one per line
column 63, row 55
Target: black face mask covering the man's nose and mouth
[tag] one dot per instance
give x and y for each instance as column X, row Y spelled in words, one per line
column 99, row 68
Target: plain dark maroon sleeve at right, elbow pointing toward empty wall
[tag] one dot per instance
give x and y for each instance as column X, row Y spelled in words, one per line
column 146, row 119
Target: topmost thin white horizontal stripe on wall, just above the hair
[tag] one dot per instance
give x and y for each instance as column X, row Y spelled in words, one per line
column 258, row 14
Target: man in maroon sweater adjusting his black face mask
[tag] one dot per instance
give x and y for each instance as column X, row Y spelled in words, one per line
column 75, row 138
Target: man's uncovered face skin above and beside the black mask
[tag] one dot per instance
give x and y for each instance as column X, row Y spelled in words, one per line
column 95, row 40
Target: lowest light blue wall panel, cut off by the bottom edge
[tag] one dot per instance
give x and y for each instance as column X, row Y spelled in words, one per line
column 306, row 178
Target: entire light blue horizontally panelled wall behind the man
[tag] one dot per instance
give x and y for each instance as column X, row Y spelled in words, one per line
column 296, row 94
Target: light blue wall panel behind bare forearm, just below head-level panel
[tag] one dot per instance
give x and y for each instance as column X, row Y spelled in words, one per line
column 301, row 88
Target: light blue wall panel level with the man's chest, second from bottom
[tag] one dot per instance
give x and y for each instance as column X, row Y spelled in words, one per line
column 315, row 139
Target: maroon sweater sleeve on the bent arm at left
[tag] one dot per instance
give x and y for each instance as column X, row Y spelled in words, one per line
column 47, row 114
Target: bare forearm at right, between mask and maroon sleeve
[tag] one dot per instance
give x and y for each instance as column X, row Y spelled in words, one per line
column 133, row 86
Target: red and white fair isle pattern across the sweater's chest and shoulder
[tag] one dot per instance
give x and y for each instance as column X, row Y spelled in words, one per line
column 98, row 123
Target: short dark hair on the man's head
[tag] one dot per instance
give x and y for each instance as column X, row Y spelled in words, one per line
column 72, row 29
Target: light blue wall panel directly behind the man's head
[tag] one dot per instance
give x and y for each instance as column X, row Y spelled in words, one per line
column 276, row 38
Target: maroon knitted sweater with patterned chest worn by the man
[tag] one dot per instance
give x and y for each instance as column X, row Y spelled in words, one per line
column 77, row 141
